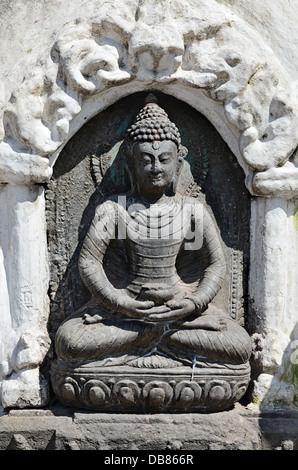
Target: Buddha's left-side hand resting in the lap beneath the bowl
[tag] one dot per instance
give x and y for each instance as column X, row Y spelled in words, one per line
column 141, row 310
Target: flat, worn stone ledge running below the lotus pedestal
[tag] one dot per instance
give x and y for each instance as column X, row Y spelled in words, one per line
column 241, row 428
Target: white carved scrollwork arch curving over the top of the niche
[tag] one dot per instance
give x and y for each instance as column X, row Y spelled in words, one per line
column 216, row 54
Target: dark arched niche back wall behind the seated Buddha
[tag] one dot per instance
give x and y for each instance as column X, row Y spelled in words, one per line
column 90, row 167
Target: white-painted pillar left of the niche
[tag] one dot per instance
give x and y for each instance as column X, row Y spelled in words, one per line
column 24, row 302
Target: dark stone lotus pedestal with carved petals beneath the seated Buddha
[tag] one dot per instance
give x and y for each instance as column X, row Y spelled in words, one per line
column 123, row 388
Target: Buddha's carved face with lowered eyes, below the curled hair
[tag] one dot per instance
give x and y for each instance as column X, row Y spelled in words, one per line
column 154, row 165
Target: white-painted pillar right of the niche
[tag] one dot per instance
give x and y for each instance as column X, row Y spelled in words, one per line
column 273, row 298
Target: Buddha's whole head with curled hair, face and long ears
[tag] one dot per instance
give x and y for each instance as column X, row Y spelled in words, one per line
column 154, row 154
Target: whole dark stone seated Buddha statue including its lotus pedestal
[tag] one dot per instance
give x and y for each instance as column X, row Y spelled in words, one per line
column 149, row 339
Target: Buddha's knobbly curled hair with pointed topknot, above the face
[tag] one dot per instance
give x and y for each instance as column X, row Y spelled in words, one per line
column 153, row 124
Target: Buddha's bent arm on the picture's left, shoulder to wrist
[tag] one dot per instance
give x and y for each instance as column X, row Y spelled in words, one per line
column 97, row 240
